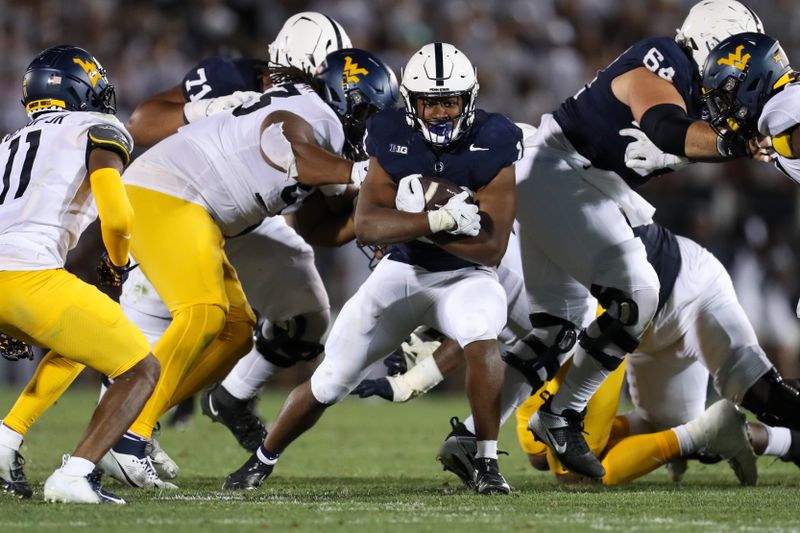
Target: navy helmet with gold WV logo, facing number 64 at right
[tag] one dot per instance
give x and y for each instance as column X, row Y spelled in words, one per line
column 739, row 76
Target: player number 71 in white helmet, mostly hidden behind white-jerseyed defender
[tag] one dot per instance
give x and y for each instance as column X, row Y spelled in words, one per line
column 295, row 312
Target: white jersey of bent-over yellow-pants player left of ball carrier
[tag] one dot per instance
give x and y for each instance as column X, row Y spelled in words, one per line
column 218, row 162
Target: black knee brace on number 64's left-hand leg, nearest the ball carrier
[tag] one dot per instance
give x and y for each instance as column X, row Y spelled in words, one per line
column 544, row 357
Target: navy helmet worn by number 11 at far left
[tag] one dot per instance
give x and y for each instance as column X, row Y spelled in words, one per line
column 67, row 78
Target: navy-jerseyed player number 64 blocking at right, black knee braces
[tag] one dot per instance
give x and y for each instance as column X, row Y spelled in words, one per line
column 580, row 208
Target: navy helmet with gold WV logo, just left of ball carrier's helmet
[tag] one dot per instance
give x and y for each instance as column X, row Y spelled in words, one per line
column 355, row 84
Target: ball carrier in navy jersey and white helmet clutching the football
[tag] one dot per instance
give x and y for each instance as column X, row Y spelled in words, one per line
column 439, row 270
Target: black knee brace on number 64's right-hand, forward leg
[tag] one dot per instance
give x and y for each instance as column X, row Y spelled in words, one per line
column 617, row 331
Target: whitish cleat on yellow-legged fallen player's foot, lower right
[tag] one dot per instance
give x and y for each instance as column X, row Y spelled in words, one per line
column 723, row 428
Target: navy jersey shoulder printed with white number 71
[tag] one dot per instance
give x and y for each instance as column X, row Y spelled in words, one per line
column 220, row 76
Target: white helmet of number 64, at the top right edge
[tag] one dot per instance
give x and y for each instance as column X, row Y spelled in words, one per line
column 710, row 22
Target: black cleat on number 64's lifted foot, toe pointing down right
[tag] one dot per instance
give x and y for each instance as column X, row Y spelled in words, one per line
column 564, row 435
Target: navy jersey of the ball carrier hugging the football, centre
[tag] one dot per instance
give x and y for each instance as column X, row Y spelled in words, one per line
column 492, row 143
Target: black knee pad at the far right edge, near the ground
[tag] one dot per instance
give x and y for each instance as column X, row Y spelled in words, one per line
column 774, row 401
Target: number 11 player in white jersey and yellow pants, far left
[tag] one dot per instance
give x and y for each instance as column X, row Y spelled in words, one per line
column 63, row 170
